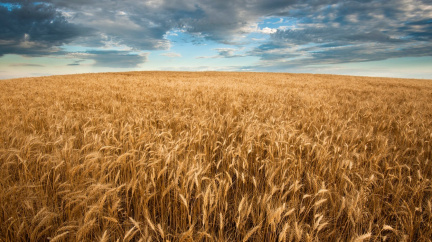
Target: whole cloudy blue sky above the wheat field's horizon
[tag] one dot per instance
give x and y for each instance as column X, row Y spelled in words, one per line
column 390, row 38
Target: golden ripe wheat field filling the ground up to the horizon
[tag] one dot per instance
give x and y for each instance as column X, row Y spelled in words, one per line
column 179, row 156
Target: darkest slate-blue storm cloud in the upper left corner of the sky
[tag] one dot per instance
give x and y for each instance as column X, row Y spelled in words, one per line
column 34, row 29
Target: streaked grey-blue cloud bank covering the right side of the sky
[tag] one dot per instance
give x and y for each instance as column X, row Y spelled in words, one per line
column 349, row 31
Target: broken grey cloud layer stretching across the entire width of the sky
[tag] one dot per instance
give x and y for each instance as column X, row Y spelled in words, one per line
column 320, row 32
